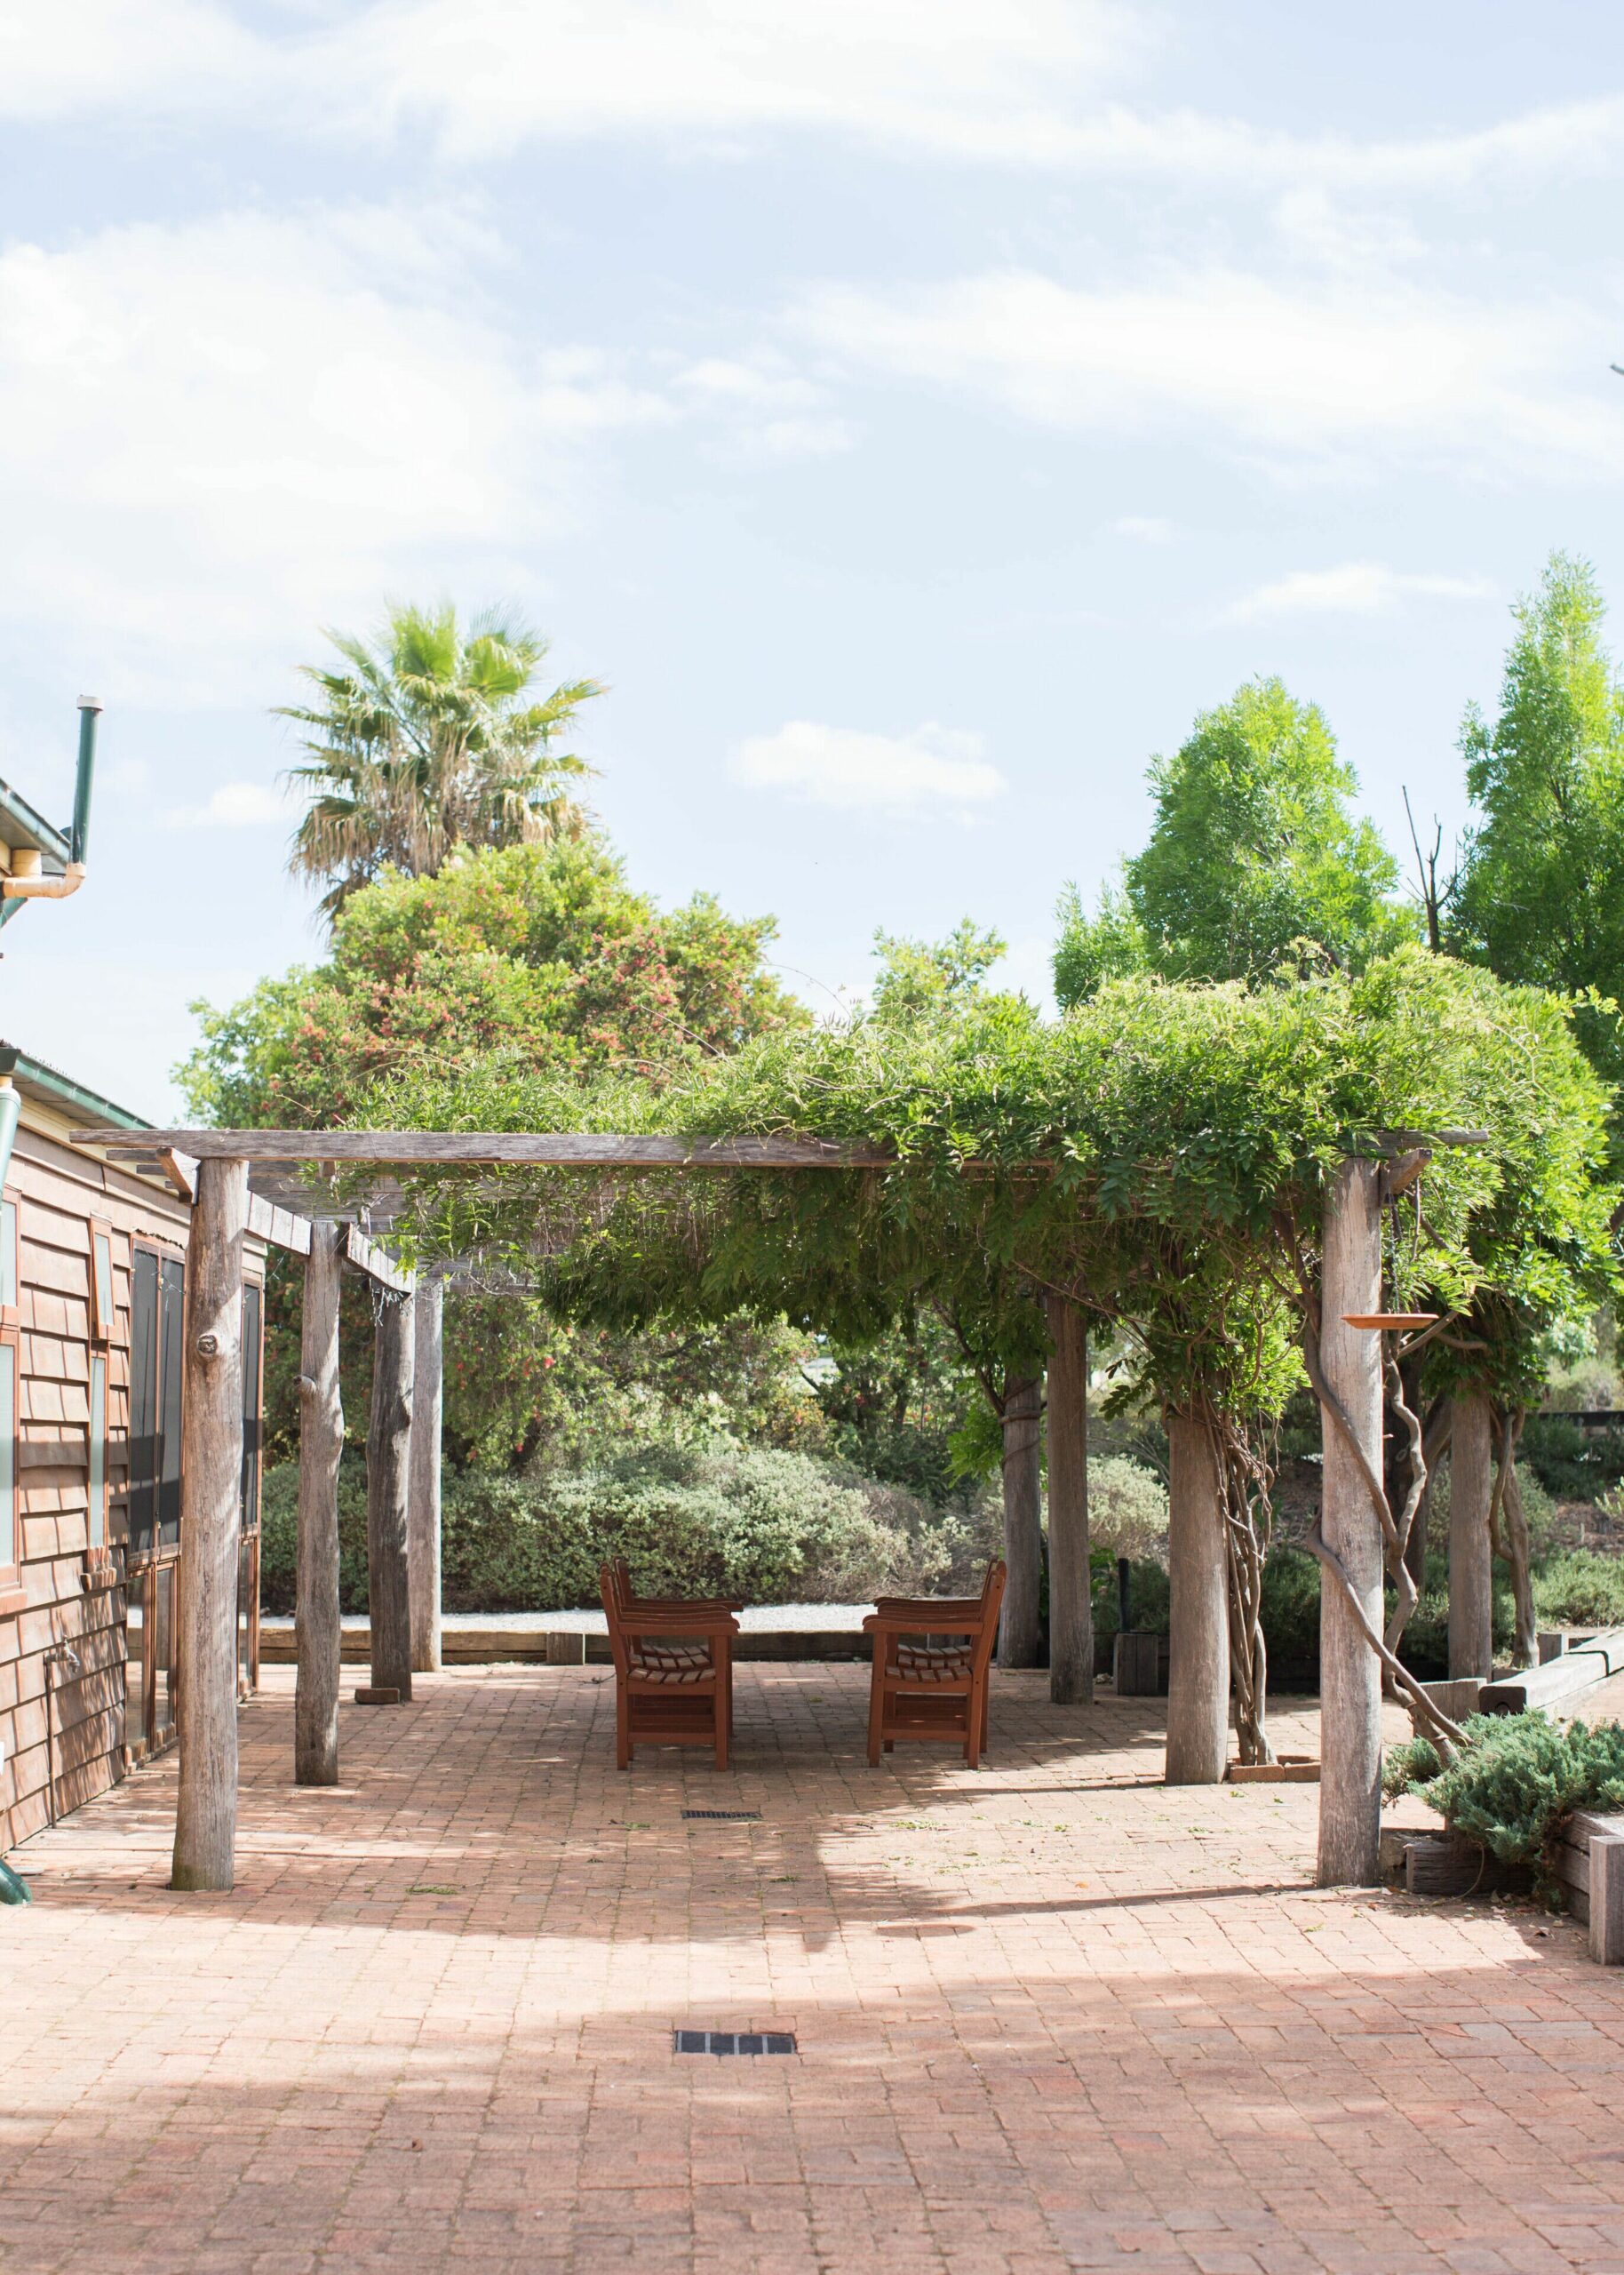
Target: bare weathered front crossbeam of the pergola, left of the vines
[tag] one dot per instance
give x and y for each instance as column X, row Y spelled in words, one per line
column 517, row 1150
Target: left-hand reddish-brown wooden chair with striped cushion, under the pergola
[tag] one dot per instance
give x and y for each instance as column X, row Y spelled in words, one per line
column 672, row 1669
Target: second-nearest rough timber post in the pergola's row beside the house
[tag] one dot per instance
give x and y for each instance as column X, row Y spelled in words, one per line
column 320, row 1630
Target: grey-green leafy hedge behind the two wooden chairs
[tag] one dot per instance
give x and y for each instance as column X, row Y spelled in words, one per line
column 765, row 1525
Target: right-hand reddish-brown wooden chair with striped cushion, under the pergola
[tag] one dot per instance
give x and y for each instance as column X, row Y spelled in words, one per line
column 925, row 1687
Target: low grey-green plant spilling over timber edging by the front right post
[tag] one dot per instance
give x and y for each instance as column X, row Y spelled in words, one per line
column 1516, row 1782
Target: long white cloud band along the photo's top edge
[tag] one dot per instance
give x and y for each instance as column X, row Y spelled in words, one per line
column 1016, row 83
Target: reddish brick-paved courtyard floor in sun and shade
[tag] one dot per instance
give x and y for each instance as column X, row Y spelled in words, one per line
column 1052, row 2017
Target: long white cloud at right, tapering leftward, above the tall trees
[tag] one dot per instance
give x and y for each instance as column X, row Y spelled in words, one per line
column 1341, row 374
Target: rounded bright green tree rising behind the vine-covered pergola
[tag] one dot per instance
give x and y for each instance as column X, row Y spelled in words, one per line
column 1254, row 857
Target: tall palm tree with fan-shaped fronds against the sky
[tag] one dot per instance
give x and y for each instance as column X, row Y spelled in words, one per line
column 429, row 743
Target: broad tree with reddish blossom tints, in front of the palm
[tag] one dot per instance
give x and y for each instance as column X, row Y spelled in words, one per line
column 538, row 957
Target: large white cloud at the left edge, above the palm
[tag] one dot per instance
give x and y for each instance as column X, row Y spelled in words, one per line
column 215, row 438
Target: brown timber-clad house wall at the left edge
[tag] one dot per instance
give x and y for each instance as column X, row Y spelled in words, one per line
column 58, row 1196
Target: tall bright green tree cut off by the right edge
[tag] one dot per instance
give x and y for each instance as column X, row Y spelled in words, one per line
column 1543, row 884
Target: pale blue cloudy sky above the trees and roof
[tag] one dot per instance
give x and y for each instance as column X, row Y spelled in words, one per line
column 913, row 411
